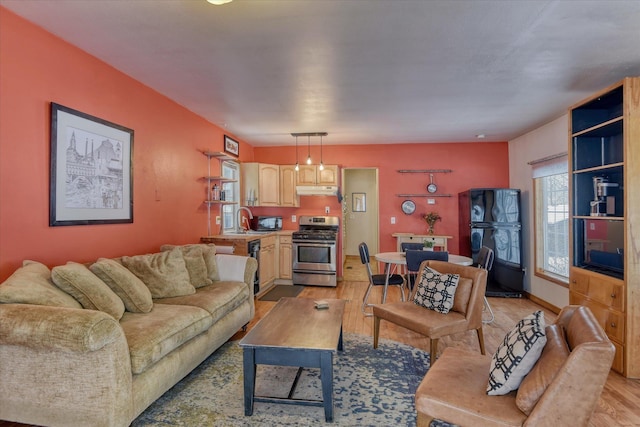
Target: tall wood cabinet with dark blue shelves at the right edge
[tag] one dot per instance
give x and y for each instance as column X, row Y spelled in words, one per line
column 605, row 266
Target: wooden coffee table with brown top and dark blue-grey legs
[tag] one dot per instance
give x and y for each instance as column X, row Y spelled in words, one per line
column 294, row 333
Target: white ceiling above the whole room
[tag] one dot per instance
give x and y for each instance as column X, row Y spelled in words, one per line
column 365, row 71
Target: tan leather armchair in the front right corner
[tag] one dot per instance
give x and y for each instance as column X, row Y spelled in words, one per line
column 562, row 391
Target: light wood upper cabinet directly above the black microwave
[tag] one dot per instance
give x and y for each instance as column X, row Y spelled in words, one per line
column 260, row 184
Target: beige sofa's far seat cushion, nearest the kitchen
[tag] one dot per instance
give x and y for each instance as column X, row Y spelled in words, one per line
column 218, row 299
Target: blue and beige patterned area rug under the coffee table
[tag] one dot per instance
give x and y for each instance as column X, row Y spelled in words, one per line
column 371, row 388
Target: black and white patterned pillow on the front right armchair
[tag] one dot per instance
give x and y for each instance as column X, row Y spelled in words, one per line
column 517, row 354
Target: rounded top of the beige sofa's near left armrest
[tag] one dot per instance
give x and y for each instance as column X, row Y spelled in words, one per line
column 57, row 328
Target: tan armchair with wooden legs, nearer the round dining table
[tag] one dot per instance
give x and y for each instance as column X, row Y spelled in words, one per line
column 465, row 315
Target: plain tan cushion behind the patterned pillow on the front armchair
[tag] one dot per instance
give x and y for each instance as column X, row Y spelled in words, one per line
column 555, row 353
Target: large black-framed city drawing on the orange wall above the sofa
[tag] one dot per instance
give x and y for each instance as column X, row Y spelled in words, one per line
column 91, row 170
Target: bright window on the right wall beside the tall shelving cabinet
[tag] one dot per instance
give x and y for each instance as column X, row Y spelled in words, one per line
column 551, row 207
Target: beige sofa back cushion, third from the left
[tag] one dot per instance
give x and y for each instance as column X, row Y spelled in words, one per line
column 133, row 293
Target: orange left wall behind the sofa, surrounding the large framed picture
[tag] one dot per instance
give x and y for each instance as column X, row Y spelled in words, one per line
column 37, row 68
